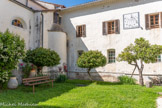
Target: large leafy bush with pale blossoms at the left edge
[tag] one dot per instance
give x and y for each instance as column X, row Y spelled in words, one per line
column 12, row 48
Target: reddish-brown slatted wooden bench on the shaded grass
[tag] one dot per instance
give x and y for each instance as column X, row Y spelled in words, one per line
column 36, row 81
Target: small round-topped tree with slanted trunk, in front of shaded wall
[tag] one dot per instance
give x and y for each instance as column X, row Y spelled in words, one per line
column 90, row 60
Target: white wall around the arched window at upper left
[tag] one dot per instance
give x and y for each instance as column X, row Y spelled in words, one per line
column 10, row 11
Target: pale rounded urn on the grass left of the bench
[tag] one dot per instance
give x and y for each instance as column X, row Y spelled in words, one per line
column 13, row 83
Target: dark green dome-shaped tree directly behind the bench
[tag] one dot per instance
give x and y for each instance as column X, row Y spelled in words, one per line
column 42, row 57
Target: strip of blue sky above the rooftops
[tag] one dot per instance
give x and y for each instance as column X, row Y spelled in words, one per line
column 68, row 3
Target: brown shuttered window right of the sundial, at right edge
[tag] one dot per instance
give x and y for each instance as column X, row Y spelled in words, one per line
column 153, row 20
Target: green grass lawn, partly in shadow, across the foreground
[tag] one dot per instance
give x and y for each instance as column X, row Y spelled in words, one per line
column 94, row 95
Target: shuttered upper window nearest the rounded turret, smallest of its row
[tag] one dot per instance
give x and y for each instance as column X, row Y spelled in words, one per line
column 81, row 31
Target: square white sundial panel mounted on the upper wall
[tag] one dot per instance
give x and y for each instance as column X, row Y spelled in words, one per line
column 131, row 20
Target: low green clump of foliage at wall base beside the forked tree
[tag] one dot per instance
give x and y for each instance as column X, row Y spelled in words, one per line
column 127, row 80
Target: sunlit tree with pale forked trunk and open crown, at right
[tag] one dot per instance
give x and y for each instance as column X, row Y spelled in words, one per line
column 139, row 53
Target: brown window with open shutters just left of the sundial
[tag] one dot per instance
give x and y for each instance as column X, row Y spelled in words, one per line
column 111, row 27
